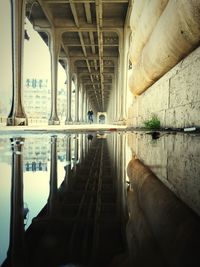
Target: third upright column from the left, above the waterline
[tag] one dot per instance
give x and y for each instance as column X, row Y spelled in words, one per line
column 68, row 69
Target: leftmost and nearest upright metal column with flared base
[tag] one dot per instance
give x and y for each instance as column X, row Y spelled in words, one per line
column 17, row 114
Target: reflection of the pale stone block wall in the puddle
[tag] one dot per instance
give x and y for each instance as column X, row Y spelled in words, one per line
column 175, row 159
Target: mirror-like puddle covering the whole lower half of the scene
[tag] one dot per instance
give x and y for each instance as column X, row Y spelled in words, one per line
column 66, row 198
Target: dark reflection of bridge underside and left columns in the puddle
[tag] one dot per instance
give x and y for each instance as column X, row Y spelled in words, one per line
column 82, row 221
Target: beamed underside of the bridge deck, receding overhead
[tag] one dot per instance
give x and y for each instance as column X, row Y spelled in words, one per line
column 88, row 34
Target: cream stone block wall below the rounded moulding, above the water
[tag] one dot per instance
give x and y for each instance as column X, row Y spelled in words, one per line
column 174, row 98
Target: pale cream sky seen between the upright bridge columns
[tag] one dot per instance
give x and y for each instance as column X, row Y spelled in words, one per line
column 36, row 56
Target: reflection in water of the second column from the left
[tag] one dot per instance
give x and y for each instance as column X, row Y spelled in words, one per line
column 53, row 177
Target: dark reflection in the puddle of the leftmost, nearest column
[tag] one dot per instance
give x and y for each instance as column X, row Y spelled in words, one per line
column 16, row 249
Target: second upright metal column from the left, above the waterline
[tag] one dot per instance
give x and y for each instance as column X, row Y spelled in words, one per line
column 54, row 51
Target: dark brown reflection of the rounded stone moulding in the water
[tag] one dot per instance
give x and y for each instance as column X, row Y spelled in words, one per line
column 162, row 230
